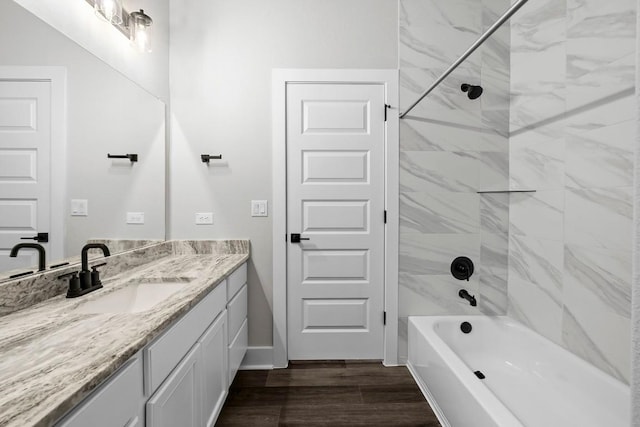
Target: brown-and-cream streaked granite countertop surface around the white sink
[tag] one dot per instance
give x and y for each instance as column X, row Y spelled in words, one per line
column 52, row 357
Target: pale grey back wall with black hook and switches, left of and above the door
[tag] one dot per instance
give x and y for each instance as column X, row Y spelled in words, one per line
column 222, row 54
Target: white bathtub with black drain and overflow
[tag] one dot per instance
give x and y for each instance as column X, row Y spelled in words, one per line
column 529, row 381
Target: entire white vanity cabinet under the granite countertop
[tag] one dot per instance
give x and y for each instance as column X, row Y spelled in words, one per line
column 182, row 377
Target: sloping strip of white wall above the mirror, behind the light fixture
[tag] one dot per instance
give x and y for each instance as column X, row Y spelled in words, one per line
column 76, row 19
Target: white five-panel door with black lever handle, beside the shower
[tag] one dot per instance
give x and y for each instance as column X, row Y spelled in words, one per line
column 335, row 199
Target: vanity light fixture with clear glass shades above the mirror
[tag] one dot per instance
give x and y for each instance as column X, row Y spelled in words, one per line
column 136, row 26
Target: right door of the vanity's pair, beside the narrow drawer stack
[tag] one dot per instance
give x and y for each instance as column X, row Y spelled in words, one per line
column 213, row 348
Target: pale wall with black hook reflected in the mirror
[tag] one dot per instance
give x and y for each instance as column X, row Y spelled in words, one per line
column 106, row 112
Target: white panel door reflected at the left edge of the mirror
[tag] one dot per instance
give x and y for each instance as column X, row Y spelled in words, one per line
column 25, row 178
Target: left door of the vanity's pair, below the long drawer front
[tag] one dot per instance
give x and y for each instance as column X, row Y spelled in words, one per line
column 178, row 401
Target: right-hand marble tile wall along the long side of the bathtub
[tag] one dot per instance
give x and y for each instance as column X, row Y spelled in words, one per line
column 572, row 121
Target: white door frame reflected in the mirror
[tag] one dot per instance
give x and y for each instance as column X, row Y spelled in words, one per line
column 57, row 77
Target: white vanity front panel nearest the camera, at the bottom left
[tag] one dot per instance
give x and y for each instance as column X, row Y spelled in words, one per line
column 123, row 390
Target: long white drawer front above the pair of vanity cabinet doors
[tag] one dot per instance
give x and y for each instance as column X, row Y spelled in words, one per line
column 162, row 356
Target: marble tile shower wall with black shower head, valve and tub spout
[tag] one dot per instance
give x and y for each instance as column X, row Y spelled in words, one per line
column 451, row 147
